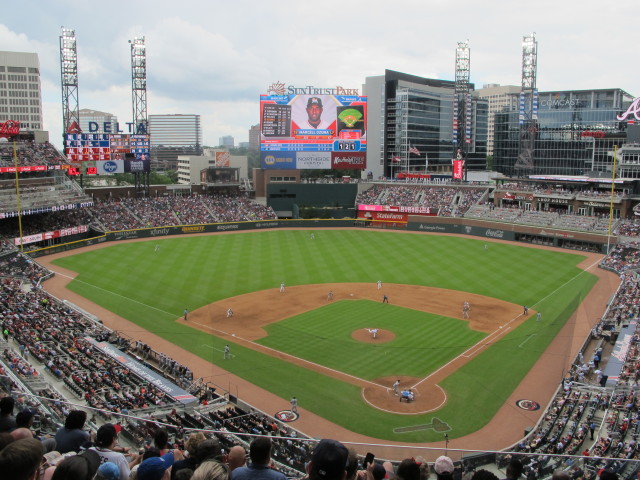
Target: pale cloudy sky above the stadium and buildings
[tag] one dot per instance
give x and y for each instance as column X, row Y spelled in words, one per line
column 214, row 58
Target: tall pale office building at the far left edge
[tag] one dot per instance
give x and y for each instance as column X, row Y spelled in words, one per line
column 20, row 90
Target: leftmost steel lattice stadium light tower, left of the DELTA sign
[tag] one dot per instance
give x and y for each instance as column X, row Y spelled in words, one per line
column 69, row 81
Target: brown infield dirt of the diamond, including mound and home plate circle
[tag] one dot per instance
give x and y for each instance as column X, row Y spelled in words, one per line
column 253, row 311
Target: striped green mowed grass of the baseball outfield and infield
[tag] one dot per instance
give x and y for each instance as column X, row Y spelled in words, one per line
column 152, row 289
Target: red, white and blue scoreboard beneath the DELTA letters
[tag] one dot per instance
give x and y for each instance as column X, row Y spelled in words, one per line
column 103, row 153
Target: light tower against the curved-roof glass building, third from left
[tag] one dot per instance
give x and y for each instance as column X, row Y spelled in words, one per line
column 462, row 102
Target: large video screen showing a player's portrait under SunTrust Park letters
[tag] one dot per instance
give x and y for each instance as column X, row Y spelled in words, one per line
column 313, row 131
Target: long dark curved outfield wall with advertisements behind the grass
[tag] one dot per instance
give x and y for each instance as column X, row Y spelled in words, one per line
column 462, row 226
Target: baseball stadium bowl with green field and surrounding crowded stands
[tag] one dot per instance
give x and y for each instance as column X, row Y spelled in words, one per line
column 482, row 332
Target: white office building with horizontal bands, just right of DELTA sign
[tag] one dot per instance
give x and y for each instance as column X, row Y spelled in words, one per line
column 173, row 135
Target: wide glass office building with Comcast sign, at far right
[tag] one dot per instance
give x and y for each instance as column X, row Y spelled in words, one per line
column 575, row 133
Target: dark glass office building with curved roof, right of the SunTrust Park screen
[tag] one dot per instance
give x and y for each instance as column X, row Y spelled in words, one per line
column 407, row 113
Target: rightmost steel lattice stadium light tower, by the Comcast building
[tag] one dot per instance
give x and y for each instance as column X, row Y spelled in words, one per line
column 528, row 115
